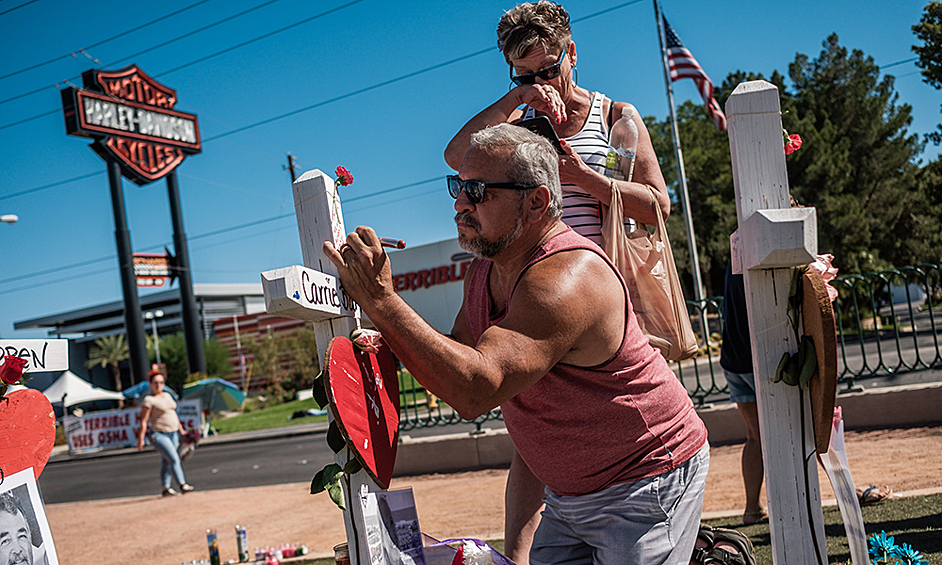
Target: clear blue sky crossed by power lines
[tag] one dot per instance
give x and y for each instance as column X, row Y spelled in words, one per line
column 378, row 87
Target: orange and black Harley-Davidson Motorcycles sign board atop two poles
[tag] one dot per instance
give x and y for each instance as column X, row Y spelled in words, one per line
column 131, row 117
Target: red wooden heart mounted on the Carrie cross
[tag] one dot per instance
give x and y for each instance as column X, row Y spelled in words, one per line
column 363, row 390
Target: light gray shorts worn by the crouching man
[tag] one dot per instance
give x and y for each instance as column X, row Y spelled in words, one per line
column 646, row 522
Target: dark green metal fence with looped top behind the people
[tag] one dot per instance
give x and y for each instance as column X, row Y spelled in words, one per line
column 888, row 324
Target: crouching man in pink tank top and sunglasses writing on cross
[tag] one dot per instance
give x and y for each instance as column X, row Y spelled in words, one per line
column 611, row 456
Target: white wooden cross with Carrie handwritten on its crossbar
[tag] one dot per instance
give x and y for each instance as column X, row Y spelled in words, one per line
column 313, row 293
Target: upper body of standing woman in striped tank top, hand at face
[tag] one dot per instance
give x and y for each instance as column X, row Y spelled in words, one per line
column 537, row 44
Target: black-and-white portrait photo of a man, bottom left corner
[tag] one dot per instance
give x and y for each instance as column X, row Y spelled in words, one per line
column 24, row 532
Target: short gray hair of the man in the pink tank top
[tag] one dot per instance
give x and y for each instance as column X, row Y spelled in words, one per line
column 533, row 161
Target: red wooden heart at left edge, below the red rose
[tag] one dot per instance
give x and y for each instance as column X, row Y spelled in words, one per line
column 27, row 431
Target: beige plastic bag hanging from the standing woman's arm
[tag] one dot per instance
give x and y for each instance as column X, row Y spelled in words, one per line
column 646, row 263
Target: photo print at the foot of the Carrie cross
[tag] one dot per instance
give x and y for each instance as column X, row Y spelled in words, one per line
column 392, row 528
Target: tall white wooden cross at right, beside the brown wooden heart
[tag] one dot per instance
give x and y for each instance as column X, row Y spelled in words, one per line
column 773, row 238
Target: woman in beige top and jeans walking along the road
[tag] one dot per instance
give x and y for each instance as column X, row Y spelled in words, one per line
column 159, row 413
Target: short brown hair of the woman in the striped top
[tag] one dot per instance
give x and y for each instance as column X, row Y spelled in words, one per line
column 534, row 23
